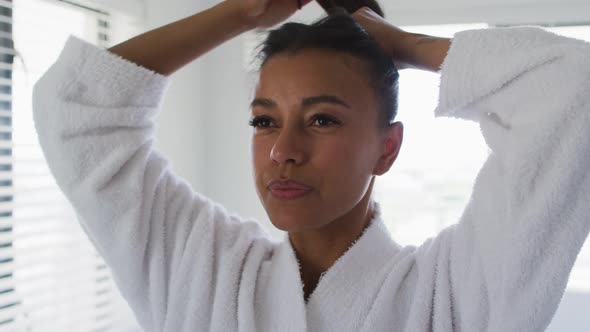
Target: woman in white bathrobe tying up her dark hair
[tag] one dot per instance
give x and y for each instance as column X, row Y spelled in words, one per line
column 323, row 118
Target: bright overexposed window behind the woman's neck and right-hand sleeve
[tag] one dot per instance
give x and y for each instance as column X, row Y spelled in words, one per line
column 429, row 185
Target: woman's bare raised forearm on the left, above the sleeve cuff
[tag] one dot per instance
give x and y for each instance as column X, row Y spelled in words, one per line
column 170, row 47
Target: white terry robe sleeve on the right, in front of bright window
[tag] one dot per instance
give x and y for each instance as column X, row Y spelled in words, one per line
column 510, row 256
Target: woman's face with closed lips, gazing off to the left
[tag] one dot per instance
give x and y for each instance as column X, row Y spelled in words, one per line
column 316, row 144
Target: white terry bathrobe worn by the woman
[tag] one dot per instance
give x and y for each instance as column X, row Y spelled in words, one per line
column 184, row 263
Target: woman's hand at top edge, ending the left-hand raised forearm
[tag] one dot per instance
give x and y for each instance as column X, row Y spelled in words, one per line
column 266, row 13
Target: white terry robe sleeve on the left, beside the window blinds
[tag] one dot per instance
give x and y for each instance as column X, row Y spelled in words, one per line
column 93, row 113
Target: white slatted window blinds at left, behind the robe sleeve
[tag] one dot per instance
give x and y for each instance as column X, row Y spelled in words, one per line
column 51, row 277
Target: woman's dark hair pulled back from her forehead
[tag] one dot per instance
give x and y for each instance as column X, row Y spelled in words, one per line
column 340, row 32
